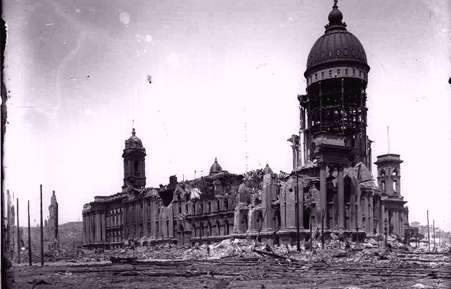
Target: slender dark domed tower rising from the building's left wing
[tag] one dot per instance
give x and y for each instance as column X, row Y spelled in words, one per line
column 134, row 156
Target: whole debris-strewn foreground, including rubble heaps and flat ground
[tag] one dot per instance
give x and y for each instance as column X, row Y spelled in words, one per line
column 243, row 264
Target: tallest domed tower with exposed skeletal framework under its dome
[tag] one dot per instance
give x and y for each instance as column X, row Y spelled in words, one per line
column 335, row 103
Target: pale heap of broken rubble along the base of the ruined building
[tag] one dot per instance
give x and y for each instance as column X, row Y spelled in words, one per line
column 336, row 250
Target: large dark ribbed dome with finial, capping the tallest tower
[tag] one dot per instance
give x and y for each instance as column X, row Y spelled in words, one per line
column 337, row 46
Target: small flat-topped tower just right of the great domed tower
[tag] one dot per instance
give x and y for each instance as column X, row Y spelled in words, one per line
column 389, row 174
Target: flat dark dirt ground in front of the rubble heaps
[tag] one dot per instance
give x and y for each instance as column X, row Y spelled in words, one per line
column 408, row 271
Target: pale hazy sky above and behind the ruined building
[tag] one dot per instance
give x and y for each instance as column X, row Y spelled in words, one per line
column 225, row 80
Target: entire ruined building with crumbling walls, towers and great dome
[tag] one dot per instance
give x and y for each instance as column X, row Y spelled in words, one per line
column 331, row 186
